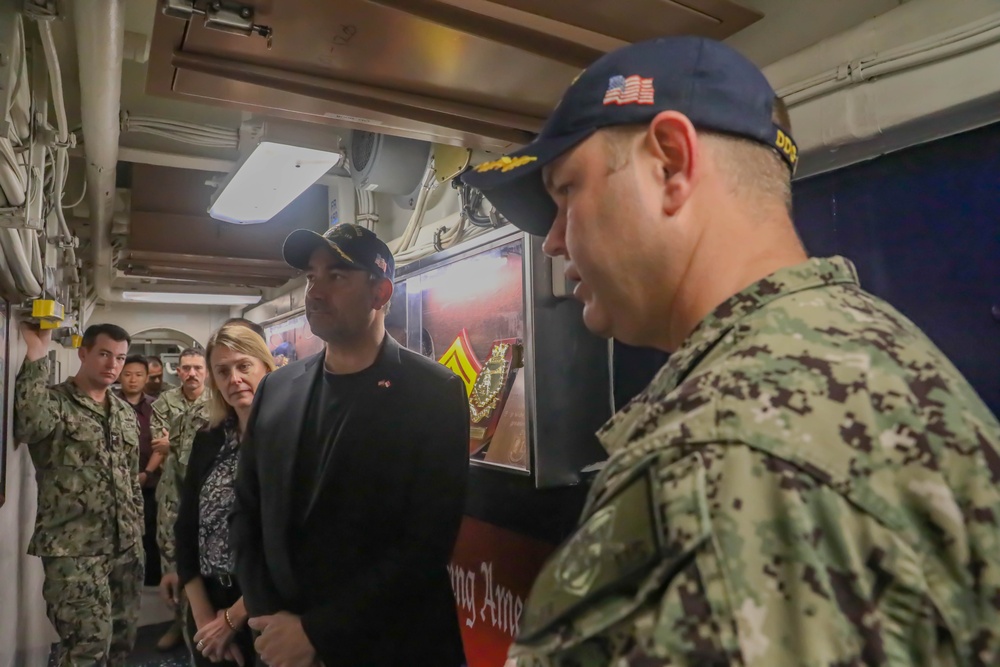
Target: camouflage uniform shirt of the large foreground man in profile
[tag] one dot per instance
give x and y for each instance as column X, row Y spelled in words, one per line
column 808, row 481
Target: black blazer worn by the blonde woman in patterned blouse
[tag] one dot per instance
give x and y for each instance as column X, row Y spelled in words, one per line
column 207, row 444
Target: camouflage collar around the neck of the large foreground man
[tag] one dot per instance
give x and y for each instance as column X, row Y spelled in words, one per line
column 811, row 274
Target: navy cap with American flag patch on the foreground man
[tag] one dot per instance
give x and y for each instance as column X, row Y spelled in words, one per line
column 712, row 84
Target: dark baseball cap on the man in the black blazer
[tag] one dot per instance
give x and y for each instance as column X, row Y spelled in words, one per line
column 355, row 246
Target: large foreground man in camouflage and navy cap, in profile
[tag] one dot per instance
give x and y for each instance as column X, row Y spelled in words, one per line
column 808, row 481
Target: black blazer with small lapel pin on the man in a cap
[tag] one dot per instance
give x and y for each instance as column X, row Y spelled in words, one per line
column 368, row 571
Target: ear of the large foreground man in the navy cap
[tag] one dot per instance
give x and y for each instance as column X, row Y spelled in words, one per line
column 674, row 144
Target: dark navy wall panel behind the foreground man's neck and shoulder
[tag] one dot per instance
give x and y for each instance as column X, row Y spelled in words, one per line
column 923, row 228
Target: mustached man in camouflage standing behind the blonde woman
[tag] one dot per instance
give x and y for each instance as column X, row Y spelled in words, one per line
column 180, row 413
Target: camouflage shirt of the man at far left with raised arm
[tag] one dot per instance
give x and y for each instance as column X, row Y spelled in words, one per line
column 86, row 458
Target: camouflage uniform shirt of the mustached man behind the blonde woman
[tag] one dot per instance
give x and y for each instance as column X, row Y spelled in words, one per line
column 182, row 419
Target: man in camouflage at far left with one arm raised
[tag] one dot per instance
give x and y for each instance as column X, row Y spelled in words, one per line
column 84, row 442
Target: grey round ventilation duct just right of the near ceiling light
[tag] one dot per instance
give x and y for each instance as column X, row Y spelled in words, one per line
column 384, row 163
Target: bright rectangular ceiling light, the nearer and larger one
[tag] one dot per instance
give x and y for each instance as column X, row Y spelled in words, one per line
column 269, row 180
